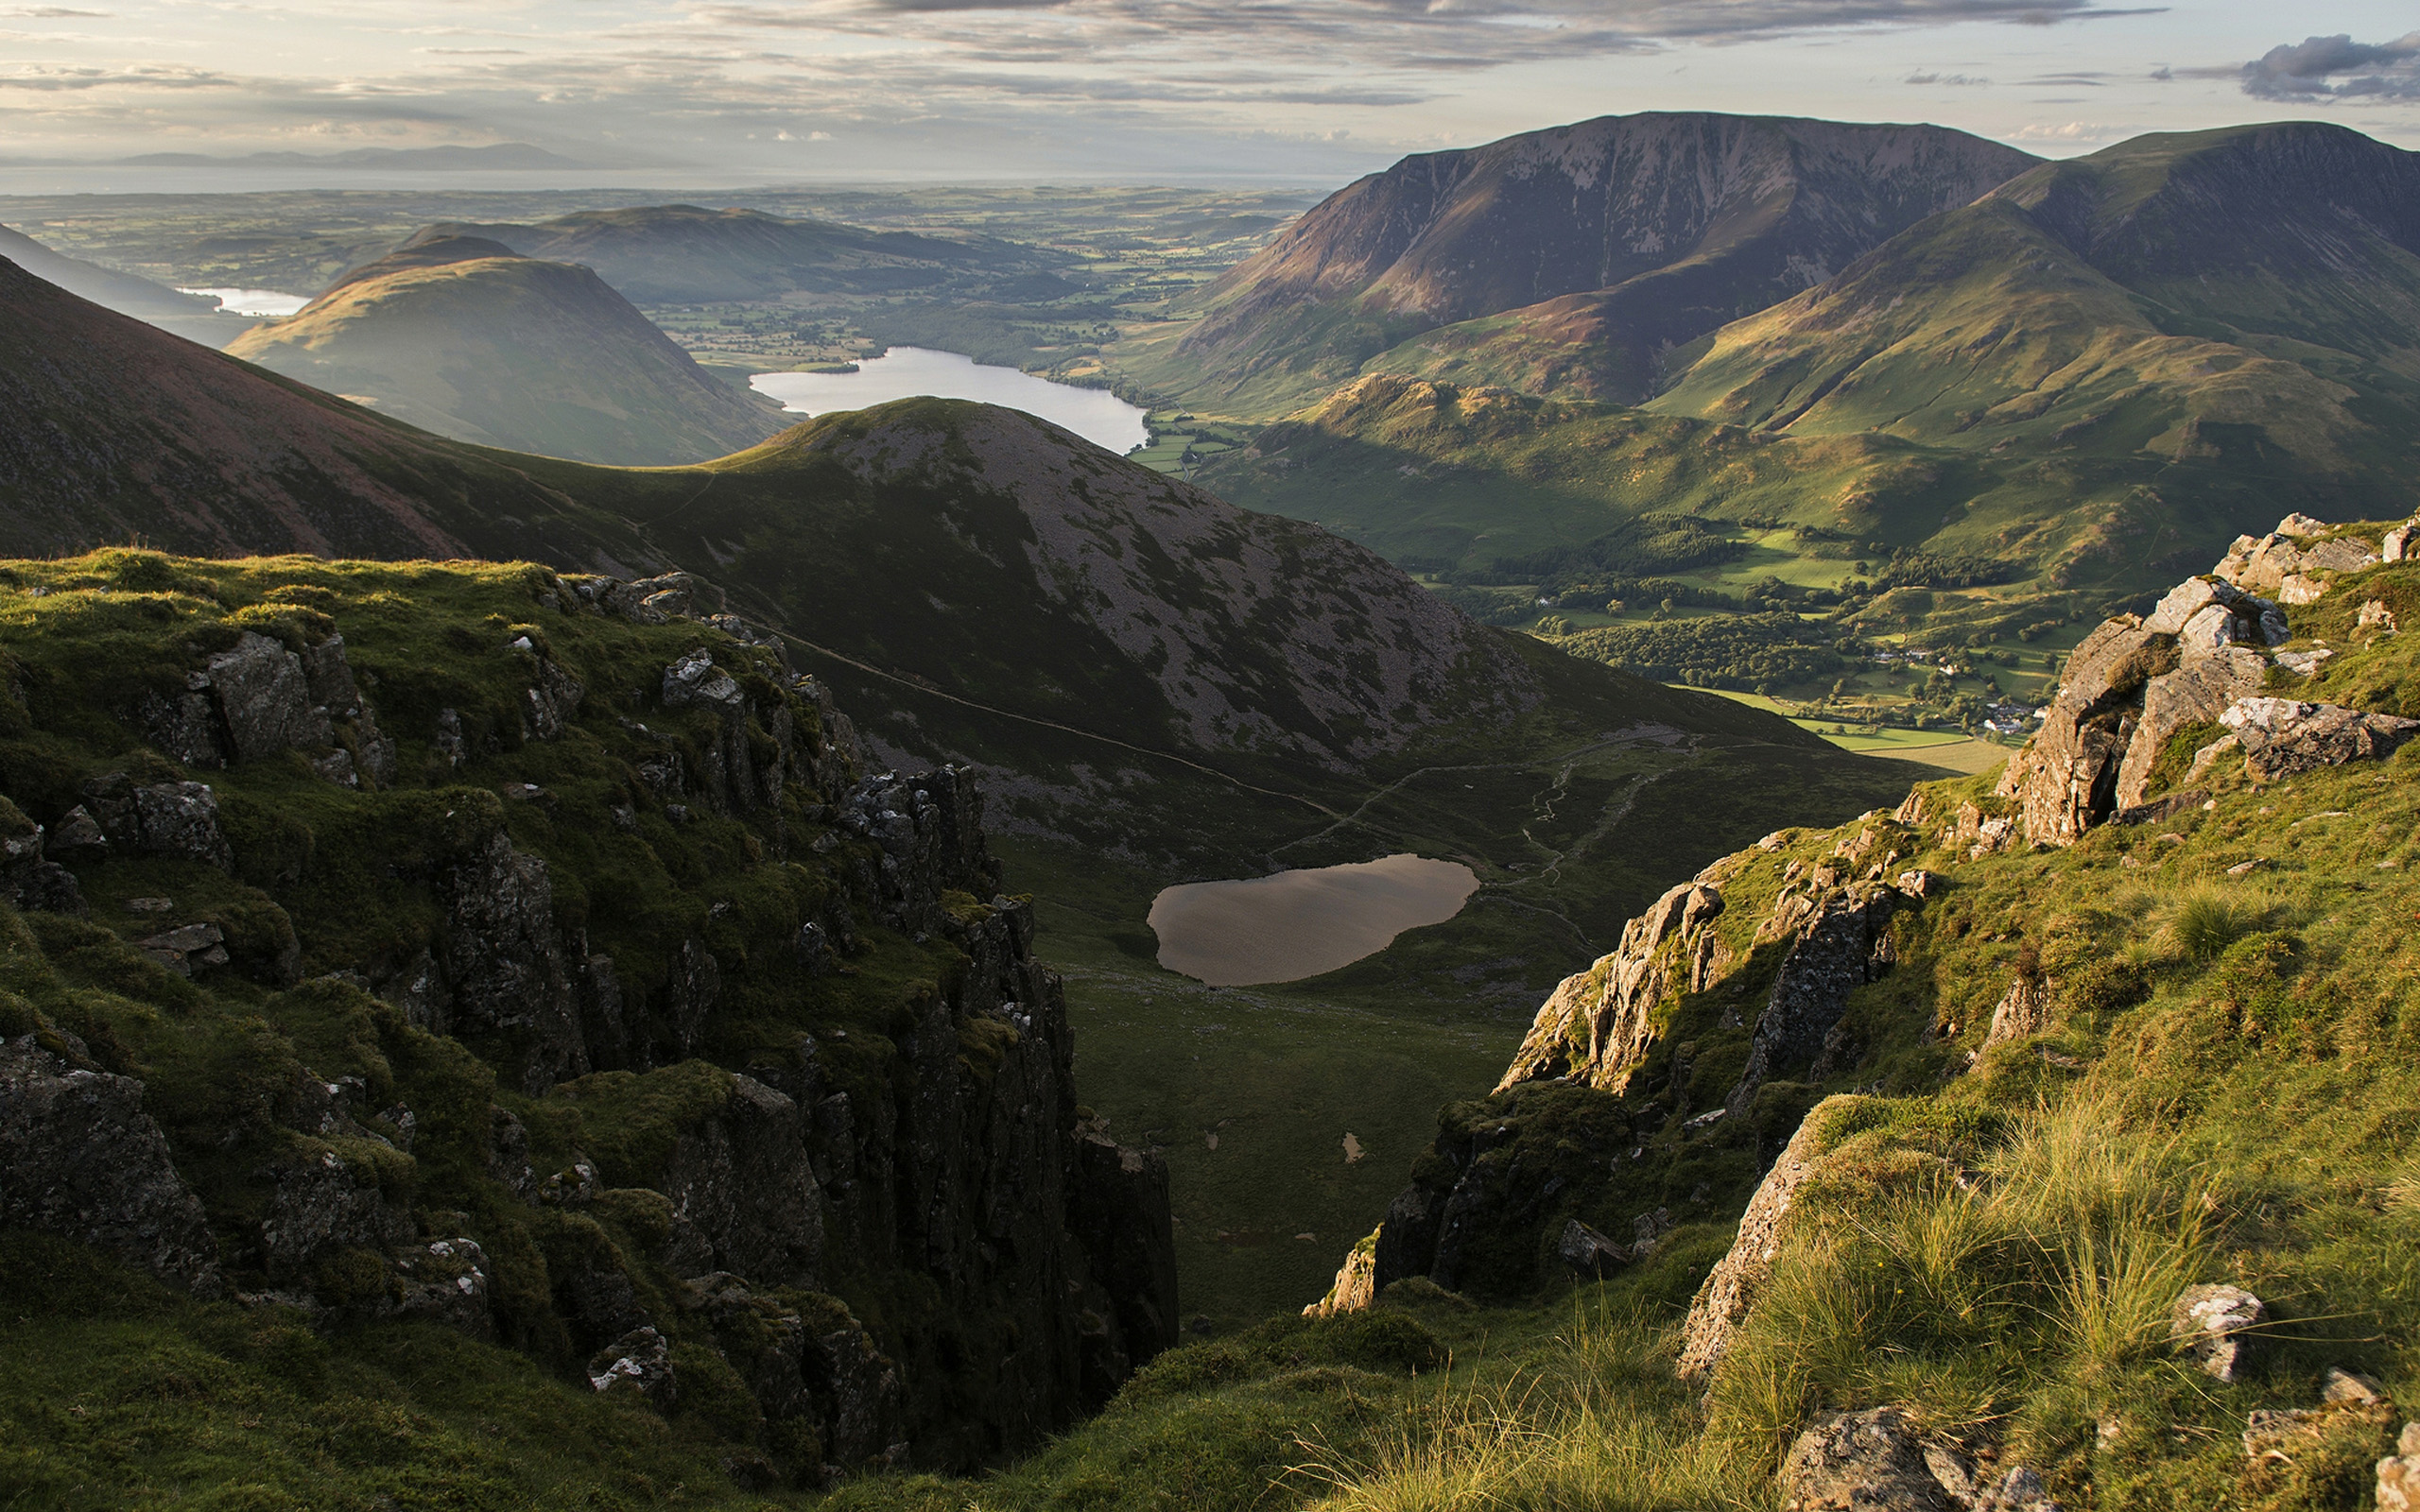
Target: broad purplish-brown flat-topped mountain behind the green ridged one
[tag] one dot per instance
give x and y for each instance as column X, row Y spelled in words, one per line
column 1596, row 248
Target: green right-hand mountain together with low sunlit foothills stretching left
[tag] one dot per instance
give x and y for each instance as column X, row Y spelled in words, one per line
column 2073, row 388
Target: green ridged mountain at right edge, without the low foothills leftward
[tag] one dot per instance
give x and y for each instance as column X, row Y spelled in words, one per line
column 2247, row 296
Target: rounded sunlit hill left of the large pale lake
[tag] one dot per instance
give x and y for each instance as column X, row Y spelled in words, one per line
column 471, row 340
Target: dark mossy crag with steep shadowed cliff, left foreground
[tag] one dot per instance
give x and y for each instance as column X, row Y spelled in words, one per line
column 531, row 957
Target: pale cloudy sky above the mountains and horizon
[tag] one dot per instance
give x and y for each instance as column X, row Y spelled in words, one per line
column 754, row 91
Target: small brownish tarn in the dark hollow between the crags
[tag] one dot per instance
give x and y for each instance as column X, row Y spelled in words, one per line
column 1303, row 923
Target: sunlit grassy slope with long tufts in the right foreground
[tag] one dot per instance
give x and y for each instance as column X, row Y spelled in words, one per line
column 2220, row 1095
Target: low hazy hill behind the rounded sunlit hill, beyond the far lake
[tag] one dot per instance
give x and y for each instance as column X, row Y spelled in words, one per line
column 669, row 255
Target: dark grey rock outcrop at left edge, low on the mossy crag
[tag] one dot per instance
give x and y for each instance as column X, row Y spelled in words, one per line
column 81, row 1160
